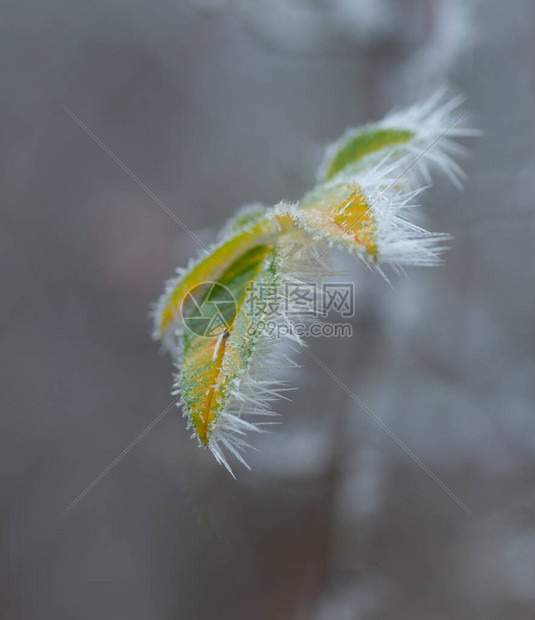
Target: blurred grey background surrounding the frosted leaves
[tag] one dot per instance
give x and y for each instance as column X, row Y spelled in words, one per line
column 214, row 104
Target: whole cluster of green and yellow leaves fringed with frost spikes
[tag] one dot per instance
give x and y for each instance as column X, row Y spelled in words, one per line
column 362, row 203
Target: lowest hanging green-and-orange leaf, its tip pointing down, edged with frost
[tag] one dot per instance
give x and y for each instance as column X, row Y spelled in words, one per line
column 218, row 343
